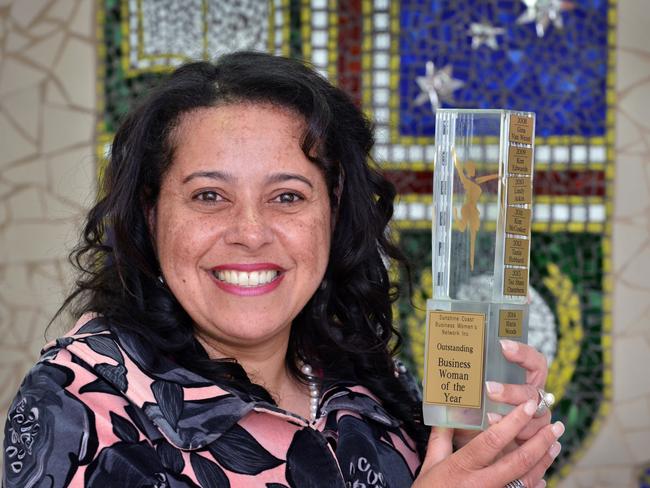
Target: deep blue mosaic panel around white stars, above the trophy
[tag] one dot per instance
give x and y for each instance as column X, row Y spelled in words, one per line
column 560, row 76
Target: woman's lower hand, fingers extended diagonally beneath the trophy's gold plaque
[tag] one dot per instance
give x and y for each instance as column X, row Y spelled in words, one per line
column 478, row 464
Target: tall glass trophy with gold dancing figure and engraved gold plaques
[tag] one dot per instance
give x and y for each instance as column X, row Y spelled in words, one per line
column 482, row 209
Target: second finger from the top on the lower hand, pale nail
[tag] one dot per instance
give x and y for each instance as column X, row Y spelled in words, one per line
column 526, row 458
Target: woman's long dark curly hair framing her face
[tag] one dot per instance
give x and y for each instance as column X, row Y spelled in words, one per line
column 346, row 329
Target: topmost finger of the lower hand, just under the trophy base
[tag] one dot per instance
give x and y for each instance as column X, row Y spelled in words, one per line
column 482, row 450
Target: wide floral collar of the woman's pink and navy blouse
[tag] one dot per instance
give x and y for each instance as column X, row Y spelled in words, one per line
column 188, row 410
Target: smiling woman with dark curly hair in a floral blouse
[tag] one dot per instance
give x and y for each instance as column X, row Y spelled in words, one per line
column 235, row 310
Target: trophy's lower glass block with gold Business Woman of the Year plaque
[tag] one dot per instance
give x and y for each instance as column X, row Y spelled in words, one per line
column 462, row 352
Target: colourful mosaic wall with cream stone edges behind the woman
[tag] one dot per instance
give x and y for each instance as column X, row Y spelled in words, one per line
column 589, row 284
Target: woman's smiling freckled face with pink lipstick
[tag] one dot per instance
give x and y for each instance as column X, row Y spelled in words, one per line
column 242, row 225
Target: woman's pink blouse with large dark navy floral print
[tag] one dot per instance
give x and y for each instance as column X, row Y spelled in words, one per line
column 100, row 409
